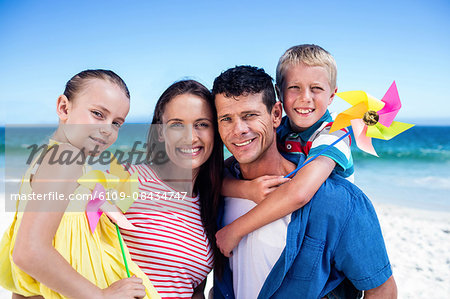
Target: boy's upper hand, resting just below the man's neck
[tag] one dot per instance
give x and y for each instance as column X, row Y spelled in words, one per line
column 261, row 187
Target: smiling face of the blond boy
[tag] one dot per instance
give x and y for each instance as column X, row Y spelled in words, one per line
column 306, row 94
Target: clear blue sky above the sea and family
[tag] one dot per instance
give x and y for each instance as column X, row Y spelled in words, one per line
column 152, row 44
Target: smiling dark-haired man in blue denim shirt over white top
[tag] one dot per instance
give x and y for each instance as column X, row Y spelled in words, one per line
column 336, row 237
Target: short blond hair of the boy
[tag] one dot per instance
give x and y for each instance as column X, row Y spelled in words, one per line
column 311, row 55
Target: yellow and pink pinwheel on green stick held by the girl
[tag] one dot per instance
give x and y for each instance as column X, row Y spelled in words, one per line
column 118, row 184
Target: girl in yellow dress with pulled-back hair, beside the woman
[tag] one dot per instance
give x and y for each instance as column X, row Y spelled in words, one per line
column 49, row 250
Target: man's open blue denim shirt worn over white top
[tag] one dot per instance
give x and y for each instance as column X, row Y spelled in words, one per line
column 333, row 237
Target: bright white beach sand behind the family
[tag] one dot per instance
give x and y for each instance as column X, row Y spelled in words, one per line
column 418, row 243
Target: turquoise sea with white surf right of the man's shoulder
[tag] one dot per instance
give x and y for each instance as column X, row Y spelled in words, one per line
column 412, row 169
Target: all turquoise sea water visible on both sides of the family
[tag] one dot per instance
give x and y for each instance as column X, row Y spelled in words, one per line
column 412, row 169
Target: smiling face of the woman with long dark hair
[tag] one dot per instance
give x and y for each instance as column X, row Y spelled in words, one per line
column 188, row 131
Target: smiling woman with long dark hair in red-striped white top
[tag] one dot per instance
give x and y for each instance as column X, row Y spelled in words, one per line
column 174, row 242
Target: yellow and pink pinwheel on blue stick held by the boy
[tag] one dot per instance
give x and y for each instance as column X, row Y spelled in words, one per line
column 367, row 118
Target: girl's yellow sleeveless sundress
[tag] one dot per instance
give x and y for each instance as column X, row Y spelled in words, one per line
column 96, row 256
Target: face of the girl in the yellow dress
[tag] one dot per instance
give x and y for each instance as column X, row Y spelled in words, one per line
column 92, row 119
